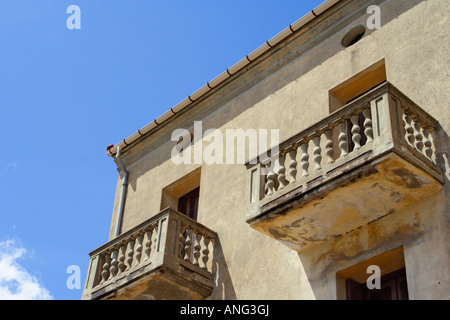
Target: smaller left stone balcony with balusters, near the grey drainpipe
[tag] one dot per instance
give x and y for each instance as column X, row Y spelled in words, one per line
column 166, row 257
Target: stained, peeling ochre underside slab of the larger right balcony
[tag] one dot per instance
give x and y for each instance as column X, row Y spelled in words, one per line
column 331, row 208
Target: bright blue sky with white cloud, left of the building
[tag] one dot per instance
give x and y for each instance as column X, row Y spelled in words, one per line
column 66, row 94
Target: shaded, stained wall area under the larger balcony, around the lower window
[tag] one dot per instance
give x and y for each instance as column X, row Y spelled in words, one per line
column 416, row 228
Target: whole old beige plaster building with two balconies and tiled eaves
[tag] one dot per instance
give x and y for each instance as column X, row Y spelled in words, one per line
column 359, row 183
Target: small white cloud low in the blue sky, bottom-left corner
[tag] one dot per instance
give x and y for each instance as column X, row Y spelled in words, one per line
column 16, row 283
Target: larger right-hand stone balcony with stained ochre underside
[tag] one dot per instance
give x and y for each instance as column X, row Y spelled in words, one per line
column 368, row 159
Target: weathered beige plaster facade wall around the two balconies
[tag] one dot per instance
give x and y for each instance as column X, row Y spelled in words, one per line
column 414, row 42
